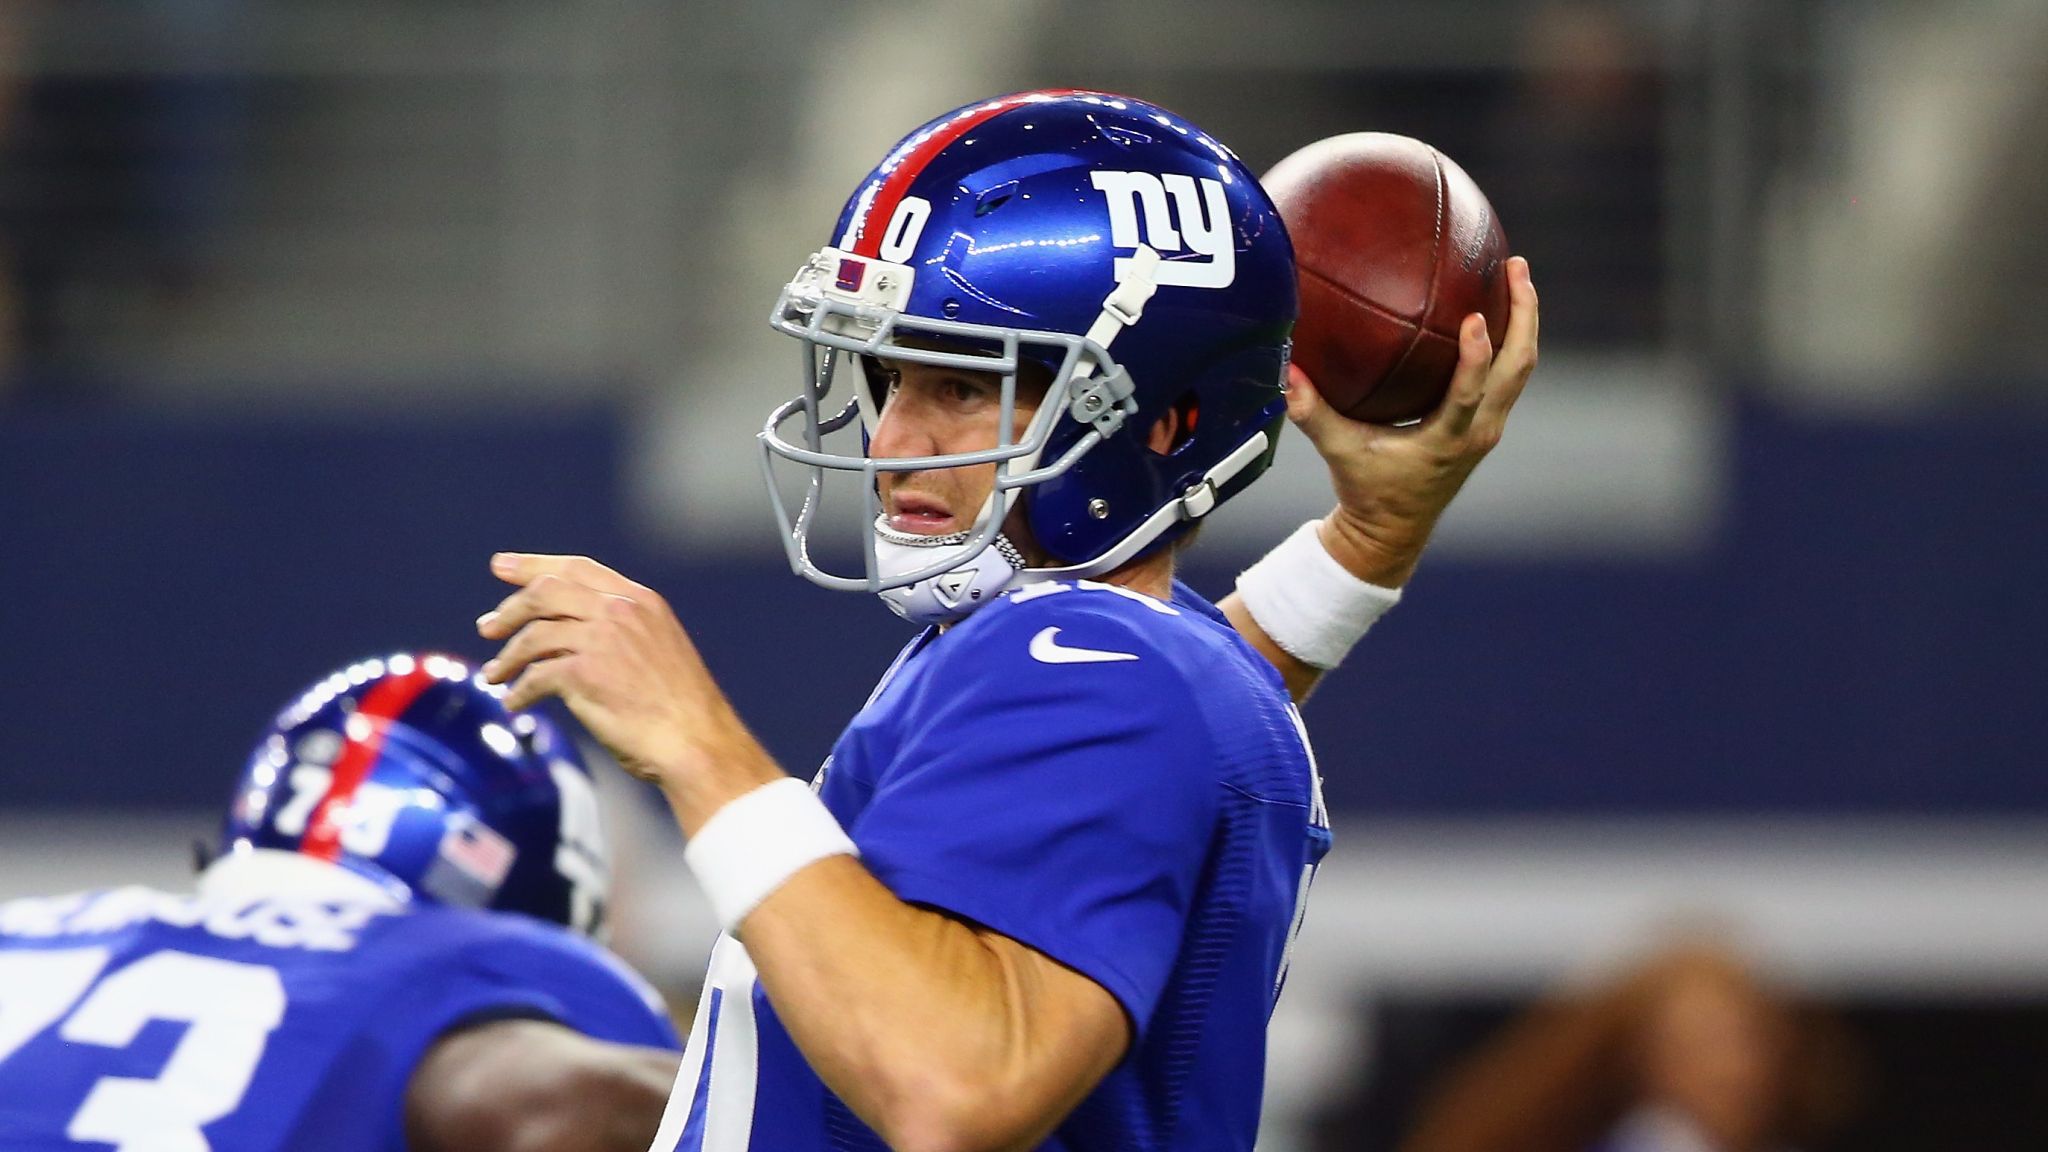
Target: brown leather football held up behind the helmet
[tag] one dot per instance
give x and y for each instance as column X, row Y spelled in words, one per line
column 1394, row 249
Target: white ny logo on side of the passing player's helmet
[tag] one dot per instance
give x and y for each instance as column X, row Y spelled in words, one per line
column 1144, row 210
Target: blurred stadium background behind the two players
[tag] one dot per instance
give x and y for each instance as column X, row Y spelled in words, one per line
column 306, row 308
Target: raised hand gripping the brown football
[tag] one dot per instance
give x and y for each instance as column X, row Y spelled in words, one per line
column 1396, row 483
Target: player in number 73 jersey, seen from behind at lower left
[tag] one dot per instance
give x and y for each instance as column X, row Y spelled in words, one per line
column 388, row 952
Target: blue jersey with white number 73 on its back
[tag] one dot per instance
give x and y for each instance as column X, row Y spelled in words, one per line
column 148, row 1022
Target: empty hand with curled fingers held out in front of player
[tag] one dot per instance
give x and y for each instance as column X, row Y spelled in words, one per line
column 622, row 661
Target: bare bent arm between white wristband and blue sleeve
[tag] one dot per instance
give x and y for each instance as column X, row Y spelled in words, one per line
column 912, row 1020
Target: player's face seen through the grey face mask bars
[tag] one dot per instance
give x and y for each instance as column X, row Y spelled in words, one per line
column 933, row 411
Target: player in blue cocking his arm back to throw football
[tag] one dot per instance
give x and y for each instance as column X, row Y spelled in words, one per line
column 1043, row 889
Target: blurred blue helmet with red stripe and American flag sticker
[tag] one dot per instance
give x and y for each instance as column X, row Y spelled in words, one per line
column 413, row 774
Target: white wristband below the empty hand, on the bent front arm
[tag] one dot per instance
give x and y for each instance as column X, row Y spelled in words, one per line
column 755, row 844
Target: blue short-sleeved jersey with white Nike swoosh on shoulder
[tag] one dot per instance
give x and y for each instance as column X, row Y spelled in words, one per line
column 1113, row 782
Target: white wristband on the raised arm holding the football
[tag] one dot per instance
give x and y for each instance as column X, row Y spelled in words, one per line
column 1312, row 608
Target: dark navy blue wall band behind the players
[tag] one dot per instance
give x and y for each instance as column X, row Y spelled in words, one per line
column 1865, row 636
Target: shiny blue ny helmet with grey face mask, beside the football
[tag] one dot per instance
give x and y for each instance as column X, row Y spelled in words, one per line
column 1107, row 241
